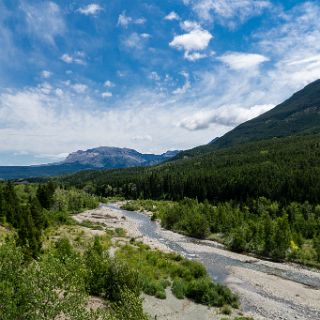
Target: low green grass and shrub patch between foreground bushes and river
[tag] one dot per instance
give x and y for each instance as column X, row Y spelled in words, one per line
column 159, row 270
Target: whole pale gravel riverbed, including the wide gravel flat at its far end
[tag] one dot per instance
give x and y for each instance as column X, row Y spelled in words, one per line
column 267, row 290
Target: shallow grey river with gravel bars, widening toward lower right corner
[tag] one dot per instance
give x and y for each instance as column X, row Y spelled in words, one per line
column 221, row 264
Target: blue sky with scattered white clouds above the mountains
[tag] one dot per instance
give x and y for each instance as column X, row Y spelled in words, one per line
column 148, row 75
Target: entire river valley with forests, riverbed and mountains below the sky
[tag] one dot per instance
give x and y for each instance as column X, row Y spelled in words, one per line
column 229, row 230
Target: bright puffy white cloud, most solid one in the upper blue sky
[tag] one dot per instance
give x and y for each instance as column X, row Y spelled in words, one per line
column 196, row 40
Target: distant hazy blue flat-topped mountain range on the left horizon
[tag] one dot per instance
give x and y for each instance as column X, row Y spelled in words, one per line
column 96, row 158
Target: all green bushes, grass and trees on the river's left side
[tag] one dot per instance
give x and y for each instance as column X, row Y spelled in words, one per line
column 49, row 268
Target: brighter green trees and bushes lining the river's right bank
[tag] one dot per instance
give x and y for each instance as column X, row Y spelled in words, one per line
column 261, row 227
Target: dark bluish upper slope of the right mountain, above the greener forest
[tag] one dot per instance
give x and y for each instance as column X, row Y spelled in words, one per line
column 300, row 114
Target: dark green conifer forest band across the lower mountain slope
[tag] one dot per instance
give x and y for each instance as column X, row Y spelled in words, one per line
column 283, row 170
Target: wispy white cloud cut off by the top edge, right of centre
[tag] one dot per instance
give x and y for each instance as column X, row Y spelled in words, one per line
column 228, row 12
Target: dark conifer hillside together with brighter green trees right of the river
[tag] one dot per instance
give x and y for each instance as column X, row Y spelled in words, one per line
column 262, row 197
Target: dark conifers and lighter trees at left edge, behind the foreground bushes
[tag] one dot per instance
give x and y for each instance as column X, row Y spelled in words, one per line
column 30, row 209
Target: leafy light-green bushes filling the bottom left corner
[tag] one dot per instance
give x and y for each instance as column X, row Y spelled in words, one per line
column 59, row 283
